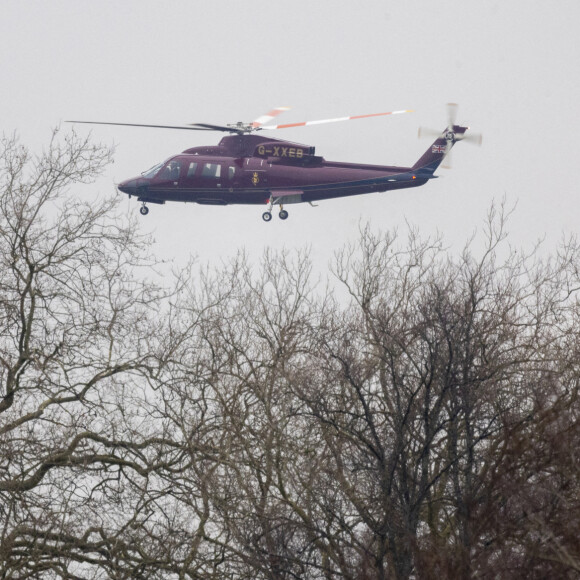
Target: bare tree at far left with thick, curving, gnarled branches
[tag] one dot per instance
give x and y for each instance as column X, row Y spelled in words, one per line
column 76, row 322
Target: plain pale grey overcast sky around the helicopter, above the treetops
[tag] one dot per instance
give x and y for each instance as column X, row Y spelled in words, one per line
column 512, row 65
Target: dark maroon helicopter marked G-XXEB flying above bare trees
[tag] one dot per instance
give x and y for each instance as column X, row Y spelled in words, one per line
column 246, row 168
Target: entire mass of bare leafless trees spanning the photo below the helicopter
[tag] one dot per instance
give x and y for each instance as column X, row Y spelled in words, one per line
column 417, row 418
